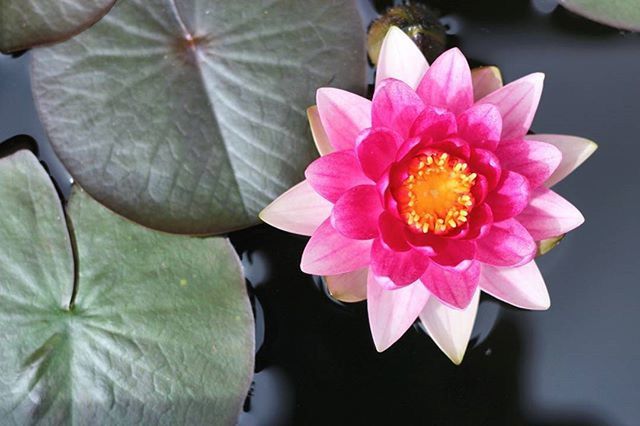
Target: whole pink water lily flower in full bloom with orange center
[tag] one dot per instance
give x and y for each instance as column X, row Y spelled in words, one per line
column 430, row 193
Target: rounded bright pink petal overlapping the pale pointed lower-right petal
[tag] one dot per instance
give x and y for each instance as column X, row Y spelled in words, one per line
column 507, row 244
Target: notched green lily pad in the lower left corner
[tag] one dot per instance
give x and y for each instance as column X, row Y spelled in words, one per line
column 161, row 331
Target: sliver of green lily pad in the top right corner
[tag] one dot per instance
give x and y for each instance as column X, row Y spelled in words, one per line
column 623, row 14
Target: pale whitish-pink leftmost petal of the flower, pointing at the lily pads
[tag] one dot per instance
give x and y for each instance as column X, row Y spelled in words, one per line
column 300, row 210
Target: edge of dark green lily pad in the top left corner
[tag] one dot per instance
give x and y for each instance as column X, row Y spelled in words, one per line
column 28, row 23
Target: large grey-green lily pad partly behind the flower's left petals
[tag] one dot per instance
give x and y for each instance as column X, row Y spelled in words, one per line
column 189, row 116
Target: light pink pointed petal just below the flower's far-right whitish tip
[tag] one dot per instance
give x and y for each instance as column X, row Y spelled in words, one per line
column 549, row 215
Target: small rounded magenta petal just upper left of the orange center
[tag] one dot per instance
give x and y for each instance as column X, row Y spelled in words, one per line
column 376, row 149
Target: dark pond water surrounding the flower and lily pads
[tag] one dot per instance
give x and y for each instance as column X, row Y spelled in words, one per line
column 576, row 364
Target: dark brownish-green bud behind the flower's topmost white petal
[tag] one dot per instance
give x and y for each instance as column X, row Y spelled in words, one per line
column 417, row 21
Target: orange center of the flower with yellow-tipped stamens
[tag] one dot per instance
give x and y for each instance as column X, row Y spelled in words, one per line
column 436, row 195
